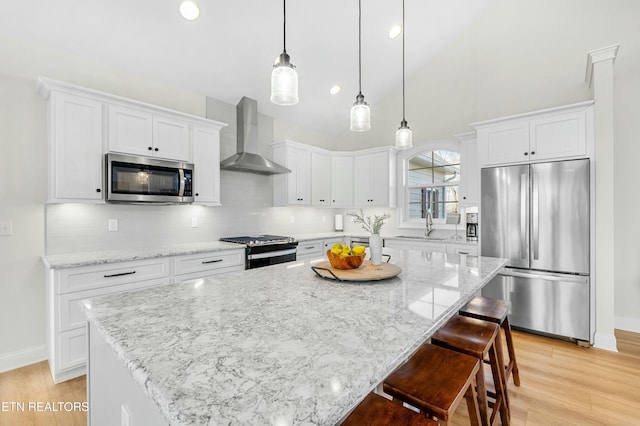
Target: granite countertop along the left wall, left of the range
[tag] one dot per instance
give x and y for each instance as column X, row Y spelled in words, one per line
column 72, row 260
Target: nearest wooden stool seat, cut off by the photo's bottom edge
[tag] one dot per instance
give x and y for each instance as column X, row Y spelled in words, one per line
column 376, row 410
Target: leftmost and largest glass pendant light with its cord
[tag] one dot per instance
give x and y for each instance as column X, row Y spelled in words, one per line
column 284, row 78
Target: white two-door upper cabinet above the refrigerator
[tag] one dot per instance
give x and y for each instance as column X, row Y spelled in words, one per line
column 556, row 133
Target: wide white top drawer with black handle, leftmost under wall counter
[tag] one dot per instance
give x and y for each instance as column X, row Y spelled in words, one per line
column 99, row 276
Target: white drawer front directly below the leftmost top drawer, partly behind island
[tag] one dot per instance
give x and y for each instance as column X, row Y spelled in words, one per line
column 69, row 314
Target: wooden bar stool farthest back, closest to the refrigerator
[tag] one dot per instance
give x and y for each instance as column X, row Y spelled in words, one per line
column 495, row 310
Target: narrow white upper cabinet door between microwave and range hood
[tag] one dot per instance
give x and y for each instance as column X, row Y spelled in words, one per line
column 206, row 160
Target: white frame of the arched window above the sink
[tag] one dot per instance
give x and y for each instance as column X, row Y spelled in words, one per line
column 403, row 158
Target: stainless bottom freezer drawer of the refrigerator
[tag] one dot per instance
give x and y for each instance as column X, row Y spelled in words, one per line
column 550, row 303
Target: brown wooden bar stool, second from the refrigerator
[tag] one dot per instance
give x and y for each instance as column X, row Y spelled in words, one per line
column 479, row 339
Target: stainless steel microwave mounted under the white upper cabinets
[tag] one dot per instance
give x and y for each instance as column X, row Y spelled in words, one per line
column 136, row 179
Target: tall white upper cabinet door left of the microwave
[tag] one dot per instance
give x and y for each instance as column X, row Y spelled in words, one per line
column 75, row 149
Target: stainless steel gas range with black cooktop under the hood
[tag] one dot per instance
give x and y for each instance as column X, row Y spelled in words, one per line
column 265, row 250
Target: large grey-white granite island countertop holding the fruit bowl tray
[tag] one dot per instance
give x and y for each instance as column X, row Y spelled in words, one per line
column 279, row 345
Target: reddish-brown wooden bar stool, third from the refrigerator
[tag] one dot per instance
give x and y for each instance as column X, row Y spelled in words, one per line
column 435, row 380
